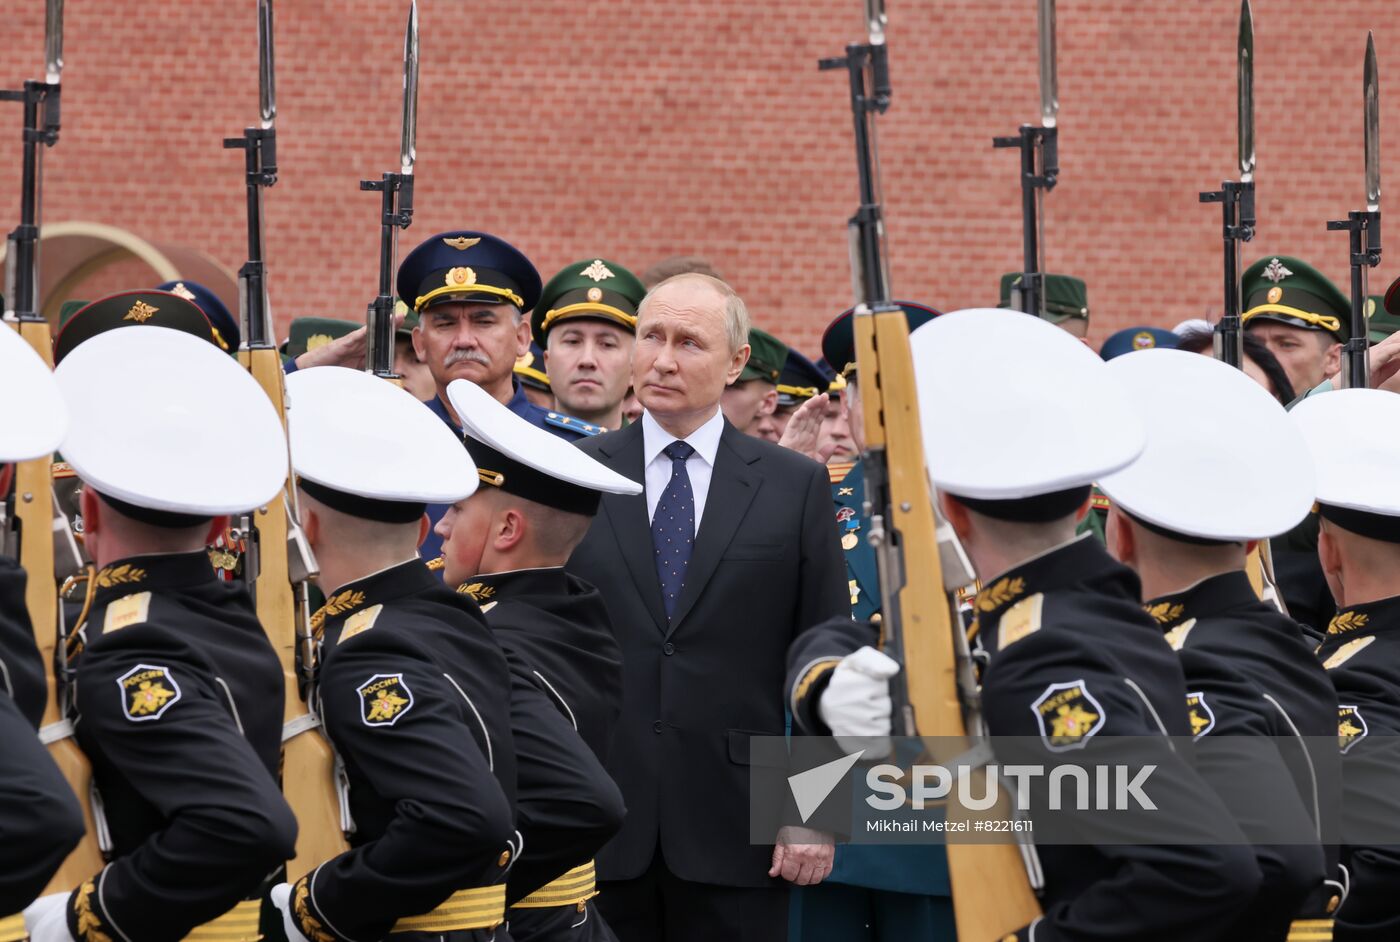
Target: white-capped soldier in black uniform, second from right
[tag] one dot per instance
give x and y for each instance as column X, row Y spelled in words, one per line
column 1249, row 668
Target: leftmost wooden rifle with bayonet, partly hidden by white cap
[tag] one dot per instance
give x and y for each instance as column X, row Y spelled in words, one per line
column 33, row 524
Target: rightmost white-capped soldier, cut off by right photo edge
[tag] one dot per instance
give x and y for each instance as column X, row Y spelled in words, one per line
column 1360, row 552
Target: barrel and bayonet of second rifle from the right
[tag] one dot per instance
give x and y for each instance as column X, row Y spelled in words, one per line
column 1237, row 199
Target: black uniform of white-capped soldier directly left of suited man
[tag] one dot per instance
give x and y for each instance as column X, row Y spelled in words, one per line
column 568, row 694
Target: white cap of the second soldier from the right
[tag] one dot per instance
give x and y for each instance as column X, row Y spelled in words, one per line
column 1223, row 461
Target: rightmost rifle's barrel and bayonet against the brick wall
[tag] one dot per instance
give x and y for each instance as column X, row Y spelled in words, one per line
column 1366, row 232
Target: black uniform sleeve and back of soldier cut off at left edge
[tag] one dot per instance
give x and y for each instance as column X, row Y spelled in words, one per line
column 40, row 818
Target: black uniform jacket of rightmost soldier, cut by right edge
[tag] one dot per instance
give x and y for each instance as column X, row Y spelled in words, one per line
column 1361, row 654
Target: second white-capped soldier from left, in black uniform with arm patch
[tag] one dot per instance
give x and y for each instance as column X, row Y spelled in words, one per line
column 177, row 689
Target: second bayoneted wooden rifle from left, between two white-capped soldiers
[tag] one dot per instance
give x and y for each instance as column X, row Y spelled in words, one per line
column 279, row 565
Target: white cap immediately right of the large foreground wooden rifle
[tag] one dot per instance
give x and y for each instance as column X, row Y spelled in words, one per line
column 1013, row 407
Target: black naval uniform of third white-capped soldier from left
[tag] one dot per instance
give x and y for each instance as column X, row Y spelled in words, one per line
column 415, row 696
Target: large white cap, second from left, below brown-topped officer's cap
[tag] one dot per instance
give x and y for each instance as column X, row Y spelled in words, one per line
column 169, row 422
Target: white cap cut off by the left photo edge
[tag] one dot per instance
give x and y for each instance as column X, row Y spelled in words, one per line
column 33, row 415
